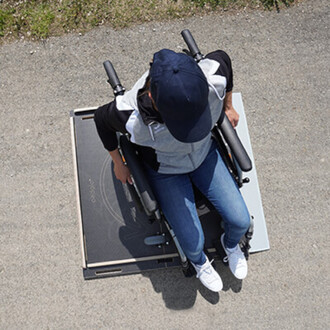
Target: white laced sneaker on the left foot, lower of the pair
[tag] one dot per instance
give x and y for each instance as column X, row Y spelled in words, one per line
column 208, row 276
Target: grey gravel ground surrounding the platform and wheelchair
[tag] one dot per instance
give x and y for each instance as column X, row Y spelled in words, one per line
column 281, row 64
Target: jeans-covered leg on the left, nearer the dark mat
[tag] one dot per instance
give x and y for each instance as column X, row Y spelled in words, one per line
column 175, row 196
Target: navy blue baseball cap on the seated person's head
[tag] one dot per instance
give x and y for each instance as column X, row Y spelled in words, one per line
column 180, row 90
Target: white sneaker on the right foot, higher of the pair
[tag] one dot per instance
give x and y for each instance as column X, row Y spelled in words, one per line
column 236, row 260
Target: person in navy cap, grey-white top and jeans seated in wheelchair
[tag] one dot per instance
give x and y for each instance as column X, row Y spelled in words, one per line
column 169, row 115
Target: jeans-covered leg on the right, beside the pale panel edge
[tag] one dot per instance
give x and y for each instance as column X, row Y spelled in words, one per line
column 213, row 179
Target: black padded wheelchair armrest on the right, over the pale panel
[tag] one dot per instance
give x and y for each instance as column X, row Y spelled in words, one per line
column 235, row 144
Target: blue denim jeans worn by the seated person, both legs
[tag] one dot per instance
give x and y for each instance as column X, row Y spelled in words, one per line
column 174, row 192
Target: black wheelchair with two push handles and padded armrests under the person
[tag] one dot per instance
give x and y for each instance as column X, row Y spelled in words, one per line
column 231, row 150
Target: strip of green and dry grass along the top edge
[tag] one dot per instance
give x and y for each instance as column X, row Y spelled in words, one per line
column 39, row 19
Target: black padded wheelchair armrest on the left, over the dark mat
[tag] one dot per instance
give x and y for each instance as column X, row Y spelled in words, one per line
column 134, row 164
